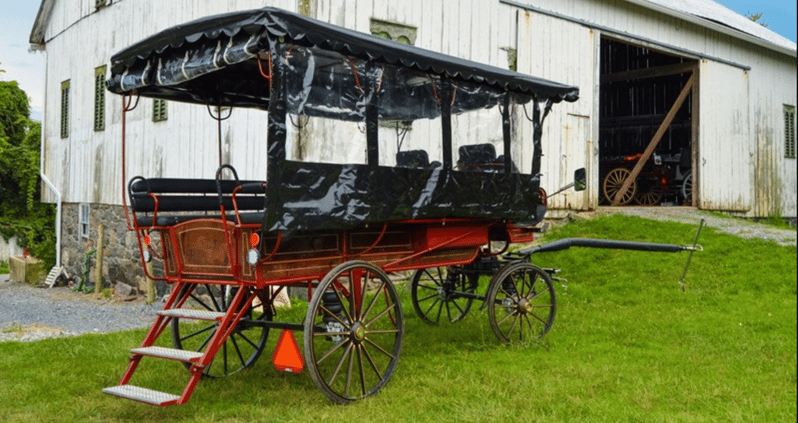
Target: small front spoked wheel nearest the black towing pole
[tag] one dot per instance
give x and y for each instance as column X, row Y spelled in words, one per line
column 521, row 302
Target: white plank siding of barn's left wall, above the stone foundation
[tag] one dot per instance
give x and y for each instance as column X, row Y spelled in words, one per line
column 87, row 164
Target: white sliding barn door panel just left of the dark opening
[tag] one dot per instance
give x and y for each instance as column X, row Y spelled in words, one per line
column 564, row 52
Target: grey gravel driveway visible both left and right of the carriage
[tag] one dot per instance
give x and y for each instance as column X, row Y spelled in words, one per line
column 30, row 314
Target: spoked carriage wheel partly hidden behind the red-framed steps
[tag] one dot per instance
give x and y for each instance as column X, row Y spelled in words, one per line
column 242, row 348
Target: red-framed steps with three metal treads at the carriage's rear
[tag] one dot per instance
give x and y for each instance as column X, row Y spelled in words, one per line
column 197, row 361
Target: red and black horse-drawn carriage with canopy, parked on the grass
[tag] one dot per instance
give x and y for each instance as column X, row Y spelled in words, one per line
column 445, row 201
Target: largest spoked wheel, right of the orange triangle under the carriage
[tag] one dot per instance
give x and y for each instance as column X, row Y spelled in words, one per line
column 353, row 332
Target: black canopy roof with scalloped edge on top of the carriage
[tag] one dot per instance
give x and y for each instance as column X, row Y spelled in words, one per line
column 213, row 59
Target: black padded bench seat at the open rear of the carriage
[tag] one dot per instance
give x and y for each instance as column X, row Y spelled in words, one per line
column 169, row 201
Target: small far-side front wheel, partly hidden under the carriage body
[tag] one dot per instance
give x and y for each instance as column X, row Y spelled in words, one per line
column 434, row 290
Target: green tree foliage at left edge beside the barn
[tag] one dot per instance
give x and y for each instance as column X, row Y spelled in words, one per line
column 21, row 213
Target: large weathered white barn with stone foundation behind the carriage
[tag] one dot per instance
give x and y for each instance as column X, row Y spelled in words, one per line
column 631, row 59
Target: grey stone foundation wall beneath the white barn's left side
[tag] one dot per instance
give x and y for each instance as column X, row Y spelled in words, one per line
column 121, row 262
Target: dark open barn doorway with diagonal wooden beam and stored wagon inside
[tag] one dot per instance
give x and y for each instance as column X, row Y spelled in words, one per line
column 646, row 126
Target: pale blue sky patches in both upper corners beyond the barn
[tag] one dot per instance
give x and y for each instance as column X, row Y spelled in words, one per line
column 27, row 68
